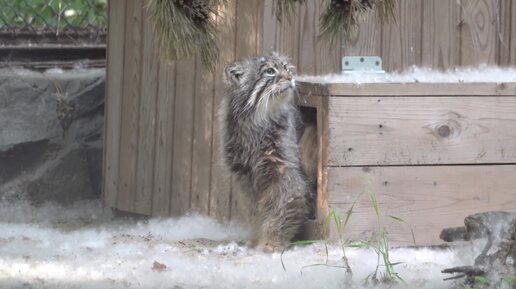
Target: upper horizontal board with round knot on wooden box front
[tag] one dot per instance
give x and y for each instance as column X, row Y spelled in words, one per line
column 421, row 130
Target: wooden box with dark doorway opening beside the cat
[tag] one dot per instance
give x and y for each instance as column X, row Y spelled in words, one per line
column 432, row 153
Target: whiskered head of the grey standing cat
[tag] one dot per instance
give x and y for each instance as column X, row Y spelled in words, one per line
column 262, row 83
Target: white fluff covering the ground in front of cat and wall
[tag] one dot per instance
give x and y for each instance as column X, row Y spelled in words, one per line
column 85, row 246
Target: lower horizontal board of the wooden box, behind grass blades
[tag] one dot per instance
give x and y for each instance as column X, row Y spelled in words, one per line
column 427, row 198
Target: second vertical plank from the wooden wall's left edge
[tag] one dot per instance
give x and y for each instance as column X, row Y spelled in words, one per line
column 130, row 107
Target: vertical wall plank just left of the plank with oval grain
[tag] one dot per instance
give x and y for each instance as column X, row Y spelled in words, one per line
column 440, row 34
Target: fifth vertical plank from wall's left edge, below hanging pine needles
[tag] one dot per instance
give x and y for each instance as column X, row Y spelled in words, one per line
column 183, row 130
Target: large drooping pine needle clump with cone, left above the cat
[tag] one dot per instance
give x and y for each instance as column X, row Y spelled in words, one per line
column 186, row 28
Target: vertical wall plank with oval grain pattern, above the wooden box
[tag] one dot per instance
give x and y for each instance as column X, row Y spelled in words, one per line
column 479, row 40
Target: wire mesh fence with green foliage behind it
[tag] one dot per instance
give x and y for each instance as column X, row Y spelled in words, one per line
column 53, row 19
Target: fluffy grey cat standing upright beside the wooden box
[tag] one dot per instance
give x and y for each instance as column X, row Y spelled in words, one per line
column 260, row 122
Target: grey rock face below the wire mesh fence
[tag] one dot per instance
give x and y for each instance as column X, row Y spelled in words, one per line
column 51, row 136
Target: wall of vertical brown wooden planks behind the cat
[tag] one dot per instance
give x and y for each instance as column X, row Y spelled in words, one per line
column 161, row 144
